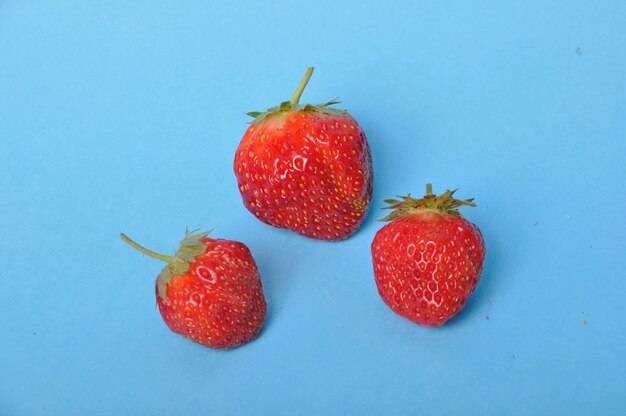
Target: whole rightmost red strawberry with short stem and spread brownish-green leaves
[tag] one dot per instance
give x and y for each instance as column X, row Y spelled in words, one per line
column 428, row 259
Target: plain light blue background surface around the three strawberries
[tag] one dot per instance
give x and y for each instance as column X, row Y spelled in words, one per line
column 124, row 116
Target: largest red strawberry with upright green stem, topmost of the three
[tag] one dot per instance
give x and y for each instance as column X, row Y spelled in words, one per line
column 307, row 168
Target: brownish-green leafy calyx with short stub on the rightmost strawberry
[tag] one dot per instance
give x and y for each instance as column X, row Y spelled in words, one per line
column 443, row 204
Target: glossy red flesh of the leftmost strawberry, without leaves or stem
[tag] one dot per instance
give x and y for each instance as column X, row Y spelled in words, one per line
column 219, row 302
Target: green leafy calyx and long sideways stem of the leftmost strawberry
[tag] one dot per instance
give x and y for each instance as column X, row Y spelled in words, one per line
column 188, row 249
